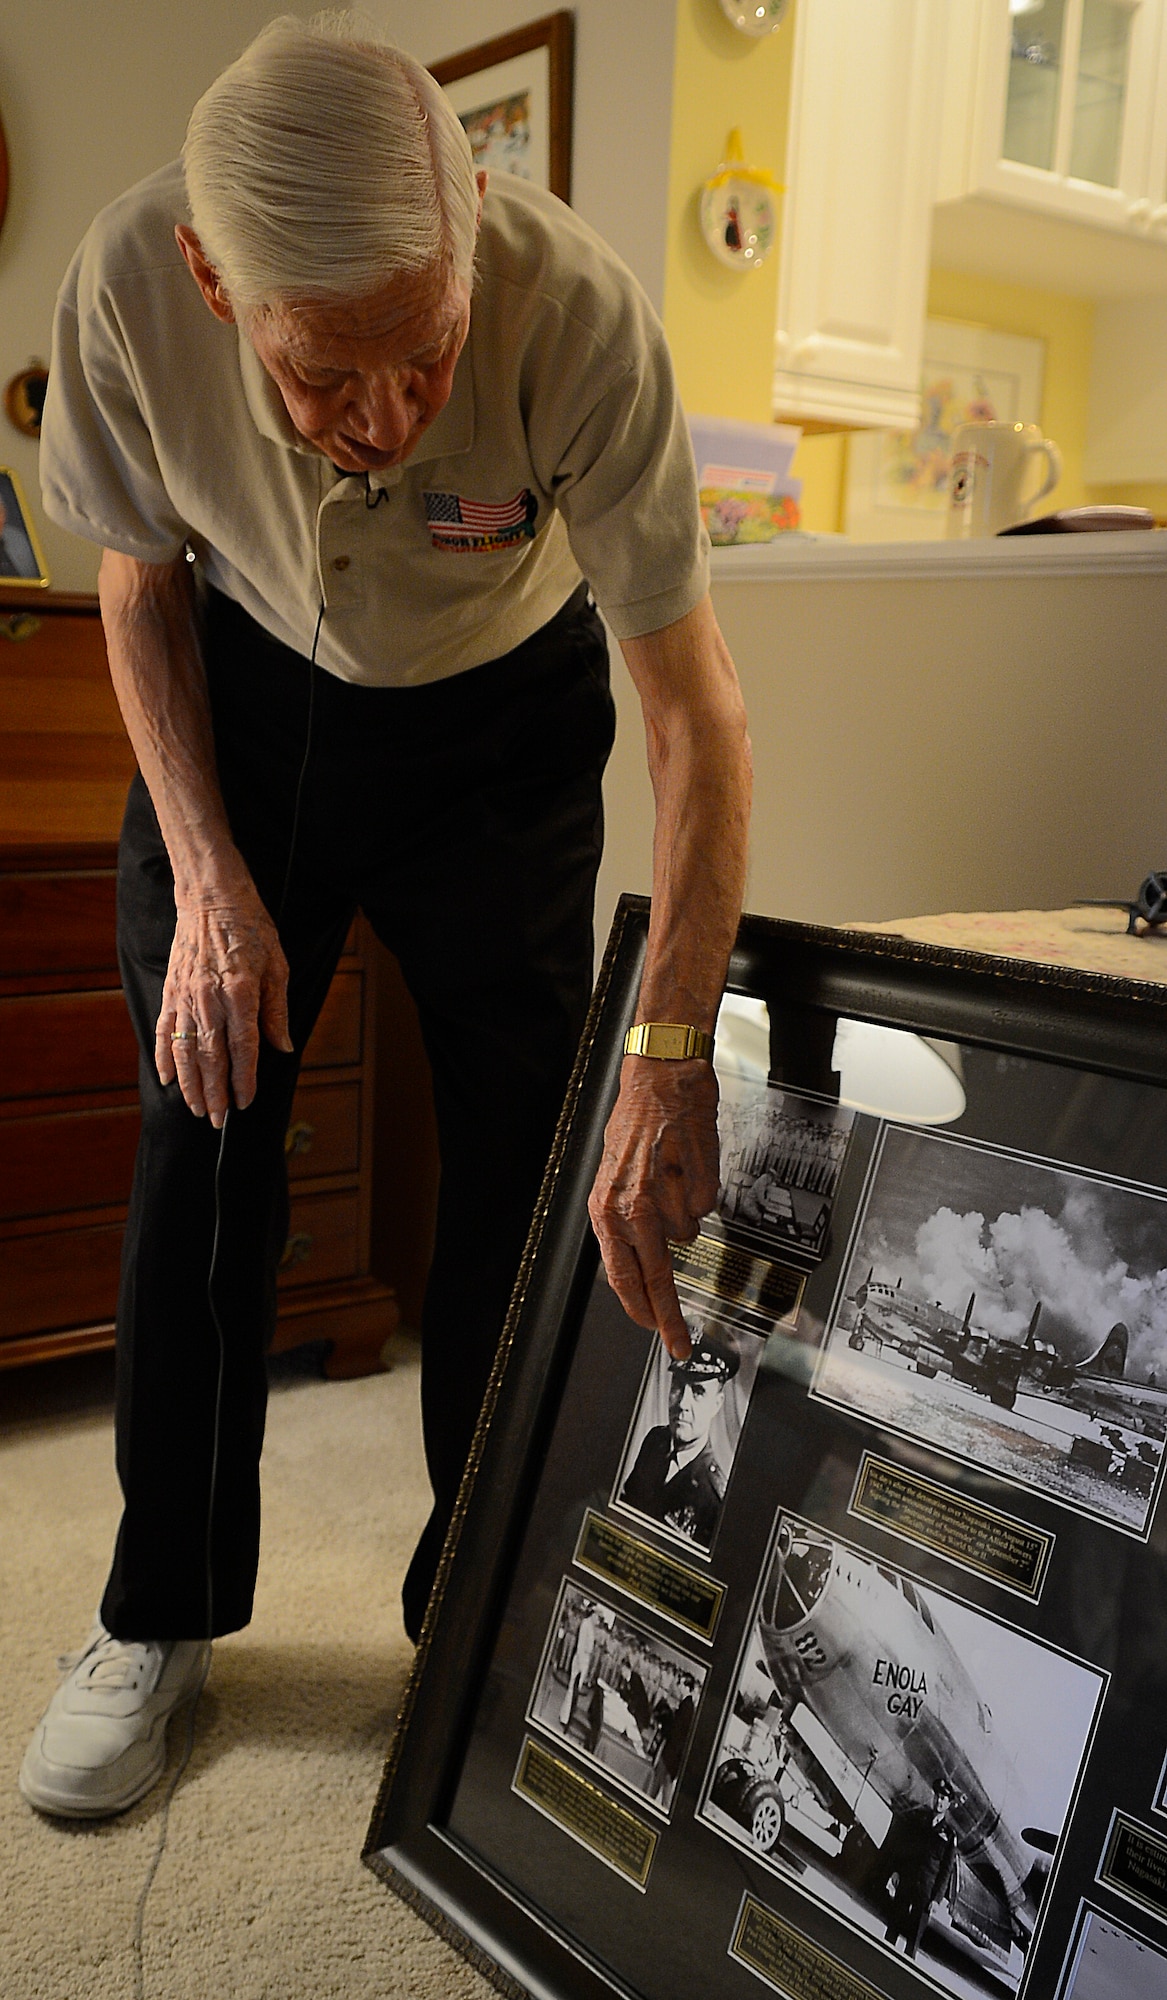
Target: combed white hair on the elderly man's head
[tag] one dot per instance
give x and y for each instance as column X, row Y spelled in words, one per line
column 325, row 163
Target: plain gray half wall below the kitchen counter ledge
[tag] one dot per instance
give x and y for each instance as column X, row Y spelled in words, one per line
column 932, row 745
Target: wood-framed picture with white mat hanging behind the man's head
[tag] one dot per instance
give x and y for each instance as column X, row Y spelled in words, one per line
column 515, row 99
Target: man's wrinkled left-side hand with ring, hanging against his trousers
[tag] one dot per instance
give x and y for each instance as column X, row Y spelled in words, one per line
column 227, row 981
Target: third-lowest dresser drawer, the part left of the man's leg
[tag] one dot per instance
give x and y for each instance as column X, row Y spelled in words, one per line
column 57, row 1043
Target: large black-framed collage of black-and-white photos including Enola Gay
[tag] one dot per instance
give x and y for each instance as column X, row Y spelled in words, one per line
column 832, row 1661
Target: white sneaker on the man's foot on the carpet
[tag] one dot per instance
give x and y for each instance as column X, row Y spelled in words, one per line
column 101, row 1743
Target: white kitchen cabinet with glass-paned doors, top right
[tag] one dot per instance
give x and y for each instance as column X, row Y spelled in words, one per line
column 1054, row 107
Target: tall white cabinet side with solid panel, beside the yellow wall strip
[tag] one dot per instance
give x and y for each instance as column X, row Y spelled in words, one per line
column 862, row 181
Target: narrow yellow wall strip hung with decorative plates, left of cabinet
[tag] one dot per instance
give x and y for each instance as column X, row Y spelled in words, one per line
column 720, row 323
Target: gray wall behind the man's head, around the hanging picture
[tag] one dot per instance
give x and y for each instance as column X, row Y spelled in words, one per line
column 97, row 97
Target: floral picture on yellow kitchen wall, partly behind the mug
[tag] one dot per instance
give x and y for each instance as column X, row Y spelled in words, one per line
column 898, row 479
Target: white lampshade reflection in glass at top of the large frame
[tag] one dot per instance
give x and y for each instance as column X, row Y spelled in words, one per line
column 884, row 1071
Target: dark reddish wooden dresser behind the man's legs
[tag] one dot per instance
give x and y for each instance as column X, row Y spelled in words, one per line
column 69, row 1063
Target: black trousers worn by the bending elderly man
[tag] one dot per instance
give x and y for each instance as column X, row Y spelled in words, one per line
column 465, row 819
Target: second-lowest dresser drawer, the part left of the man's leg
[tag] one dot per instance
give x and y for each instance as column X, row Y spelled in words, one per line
column 67, row 1161
